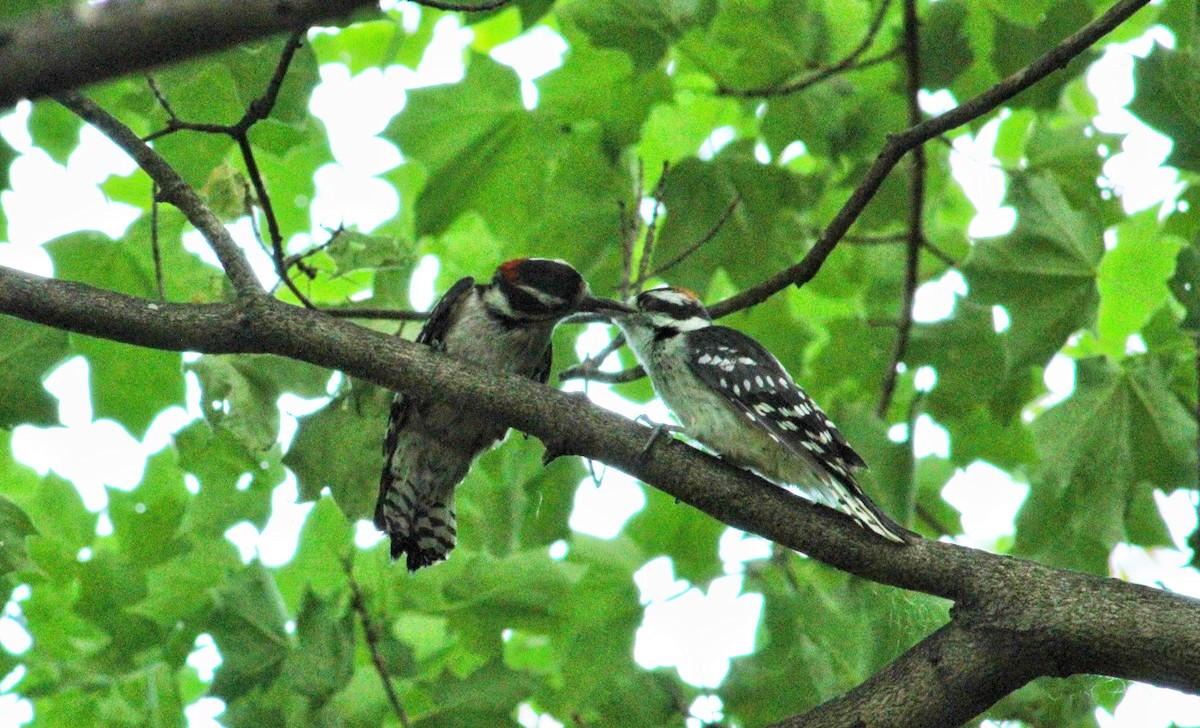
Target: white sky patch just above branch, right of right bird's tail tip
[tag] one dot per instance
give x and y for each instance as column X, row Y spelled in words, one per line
column 988, row 500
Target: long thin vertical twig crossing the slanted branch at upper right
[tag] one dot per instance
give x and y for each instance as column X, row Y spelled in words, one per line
column 916, row 209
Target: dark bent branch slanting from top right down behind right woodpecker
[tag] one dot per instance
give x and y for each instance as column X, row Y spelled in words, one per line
column 898, row 146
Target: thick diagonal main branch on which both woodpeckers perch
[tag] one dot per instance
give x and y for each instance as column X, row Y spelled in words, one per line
column 1063, row 623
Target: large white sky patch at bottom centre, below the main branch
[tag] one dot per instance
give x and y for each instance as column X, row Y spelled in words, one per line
column 698, row 633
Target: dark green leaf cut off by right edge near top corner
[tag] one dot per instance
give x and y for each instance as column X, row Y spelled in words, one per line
column 1168, row 99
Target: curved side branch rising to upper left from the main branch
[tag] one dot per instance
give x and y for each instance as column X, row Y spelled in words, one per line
column 173, row 190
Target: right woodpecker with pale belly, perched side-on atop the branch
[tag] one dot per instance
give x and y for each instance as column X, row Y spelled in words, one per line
column 735, row 398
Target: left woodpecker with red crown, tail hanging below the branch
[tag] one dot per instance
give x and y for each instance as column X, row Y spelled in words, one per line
column 506, row 327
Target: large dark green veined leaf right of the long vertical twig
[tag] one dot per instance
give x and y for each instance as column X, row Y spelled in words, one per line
column 1043, row 273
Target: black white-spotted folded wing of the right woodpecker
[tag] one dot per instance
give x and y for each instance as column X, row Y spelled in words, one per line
column 758, row 387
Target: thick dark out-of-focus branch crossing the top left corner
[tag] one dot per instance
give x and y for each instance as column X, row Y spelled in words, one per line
column 77, row 45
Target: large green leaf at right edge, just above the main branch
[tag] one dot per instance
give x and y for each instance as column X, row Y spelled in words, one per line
column 1121, row 431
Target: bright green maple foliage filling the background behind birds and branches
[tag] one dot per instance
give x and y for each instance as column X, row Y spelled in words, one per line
column 117, row 597
